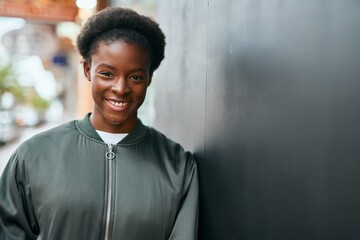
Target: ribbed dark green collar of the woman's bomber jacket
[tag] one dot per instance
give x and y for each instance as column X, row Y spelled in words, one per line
column 134, row 136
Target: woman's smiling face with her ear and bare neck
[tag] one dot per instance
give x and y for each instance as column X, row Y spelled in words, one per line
column 119, row 74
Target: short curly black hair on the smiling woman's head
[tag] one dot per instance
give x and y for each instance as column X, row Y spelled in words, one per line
column 115, row 23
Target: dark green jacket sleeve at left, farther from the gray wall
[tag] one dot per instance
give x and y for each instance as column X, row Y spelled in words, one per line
column 16, row 220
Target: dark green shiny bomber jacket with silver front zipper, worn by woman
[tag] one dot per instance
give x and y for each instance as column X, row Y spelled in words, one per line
column 66, row 183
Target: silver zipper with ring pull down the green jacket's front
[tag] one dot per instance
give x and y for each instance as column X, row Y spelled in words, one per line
column 110, row 155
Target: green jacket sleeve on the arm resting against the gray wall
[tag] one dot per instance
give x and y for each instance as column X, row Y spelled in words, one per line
column 186, row 223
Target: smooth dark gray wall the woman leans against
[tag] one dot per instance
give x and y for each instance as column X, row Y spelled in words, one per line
column 267, row 95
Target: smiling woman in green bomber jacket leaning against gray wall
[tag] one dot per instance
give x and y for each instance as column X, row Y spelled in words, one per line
column 106, row 176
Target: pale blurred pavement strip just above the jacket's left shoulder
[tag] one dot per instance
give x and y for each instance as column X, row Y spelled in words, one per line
column 8, row 149
